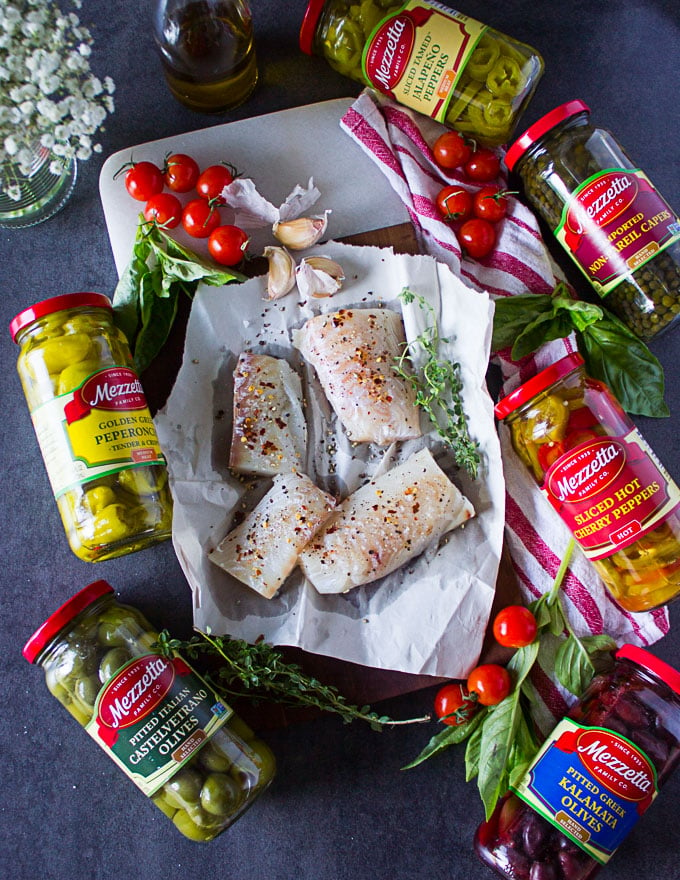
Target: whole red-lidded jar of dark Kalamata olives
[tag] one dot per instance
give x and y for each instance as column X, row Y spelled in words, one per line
column 593, row 778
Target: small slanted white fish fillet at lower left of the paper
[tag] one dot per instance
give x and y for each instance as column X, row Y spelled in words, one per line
column 263, row 550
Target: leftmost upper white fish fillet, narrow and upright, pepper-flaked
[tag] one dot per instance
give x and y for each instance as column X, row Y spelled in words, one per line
column 269, row 432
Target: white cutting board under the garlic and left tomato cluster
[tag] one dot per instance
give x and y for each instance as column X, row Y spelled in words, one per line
column 278, row 151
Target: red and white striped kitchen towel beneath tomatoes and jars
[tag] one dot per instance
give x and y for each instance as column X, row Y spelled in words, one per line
column 399, row 142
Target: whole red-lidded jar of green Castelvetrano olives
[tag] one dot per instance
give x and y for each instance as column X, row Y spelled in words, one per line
column 161, row 723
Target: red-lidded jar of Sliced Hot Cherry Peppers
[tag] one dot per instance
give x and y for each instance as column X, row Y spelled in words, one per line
column 599, row 474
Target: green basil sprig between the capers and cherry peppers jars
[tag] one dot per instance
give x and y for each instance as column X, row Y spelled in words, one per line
column 612, row 353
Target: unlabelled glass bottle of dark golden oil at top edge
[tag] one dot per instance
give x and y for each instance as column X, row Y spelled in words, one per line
column 207, row 52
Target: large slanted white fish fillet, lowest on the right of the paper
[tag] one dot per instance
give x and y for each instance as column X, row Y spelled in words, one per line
column 383, row 525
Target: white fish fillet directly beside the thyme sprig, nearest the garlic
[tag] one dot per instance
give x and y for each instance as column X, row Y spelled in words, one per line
column 353, row 352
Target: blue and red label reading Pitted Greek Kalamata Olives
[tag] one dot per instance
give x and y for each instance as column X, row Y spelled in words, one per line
column 592, row 784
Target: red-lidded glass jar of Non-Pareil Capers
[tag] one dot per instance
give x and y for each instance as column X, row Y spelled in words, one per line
column 606, row 214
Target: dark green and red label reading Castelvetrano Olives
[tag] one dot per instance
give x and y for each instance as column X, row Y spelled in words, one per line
column 152, row 715
